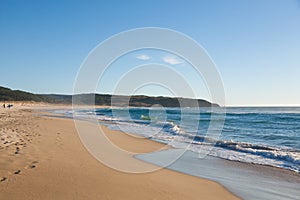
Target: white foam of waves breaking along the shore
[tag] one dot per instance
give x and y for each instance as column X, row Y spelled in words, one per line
column 173, row 134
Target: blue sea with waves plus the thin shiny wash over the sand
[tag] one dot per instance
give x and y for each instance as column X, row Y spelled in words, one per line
column 253, row 152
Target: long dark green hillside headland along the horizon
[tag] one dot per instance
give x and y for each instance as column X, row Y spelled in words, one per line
column 7, row 94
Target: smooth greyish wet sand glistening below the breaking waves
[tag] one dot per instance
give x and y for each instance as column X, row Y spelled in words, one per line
column 286, row 179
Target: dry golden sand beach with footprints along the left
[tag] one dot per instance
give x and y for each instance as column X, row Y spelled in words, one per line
column 43, row 158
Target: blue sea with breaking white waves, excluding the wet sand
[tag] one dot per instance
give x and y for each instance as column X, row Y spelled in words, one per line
column 266, row 136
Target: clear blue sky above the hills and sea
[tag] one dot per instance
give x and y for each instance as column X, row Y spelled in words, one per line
column 254, row 44
